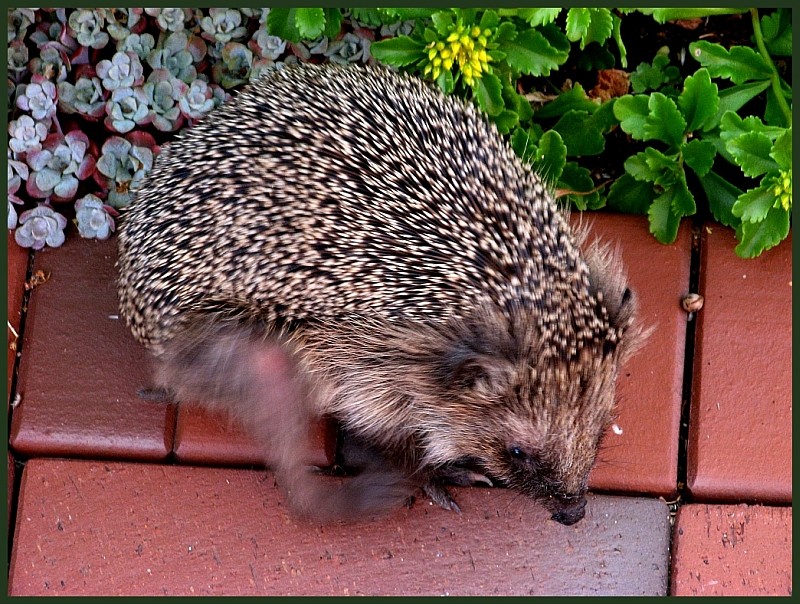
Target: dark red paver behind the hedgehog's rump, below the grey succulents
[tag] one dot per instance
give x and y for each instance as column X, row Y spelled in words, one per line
column 81, row 368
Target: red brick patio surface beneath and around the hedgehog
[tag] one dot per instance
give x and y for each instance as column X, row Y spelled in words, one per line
column 112, row 494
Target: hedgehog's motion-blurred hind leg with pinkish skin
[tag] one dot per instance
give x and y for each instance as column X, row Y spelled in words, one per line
column 237, row 366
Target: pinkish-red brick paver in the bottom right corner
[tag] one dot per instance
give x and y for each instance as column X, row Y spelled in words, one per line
column 727, row 550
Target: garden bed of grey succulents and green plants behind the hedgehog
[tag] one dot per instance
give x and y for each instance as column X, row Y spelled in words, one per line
column 555, row 81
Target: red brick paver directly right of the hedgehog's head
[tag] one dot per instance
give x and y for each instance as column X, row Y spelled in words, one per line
column 640, row 452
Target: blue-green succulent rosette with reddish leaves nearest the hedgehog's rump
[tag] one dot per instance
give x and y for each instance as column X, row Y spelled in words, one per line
column 123, row 164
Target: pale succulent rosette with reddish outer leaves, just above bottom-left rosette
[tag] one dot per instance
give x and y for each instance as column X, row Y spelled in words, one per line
column 58, row 166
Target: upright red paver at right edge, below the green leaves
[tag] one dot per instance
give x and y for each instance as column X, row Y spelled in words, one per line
column 740, row 441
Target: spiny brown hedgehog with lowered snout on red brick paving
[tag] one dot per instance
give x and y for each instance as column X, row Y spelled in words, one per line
column 348, row 242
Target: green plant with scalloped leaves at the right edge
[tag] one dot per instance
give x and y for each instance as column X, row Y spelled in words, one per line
column 700, row 129
